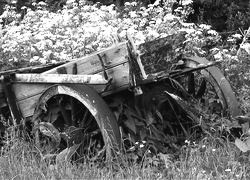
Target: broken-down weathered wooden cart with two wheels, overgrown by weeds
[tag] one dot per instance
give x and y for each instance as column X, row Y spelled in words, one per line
column 74, row 96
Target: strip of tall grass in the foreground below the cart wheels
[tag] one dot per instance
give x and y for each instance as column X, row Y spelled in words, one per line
column 211, row 158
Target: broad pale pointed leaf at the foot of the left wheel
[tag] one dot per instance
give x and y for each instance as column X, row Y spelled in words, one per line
column 67, row 153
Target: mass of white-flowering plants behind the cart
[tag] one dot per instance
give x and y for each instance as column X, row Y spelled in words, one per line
column 79, row 29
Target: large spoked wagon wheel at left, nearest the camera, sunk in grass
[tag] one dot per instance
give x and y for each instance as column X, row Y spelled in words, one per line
column 79, row 120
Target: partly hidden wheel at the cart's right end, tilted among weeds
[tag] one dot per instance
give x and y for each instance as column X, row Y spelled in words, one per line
column 209, row 88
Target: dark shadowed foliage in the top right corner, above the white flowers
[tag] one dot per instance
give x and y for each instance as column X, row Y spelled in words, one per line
column 227, row 15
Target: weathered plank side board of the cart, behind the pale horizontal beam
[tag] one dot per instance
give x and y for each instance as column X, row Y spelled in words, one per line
column 114, row 60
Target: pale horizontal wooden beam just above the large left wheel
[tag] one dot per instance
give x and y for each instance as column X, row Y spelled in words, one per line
column 59, row 78
